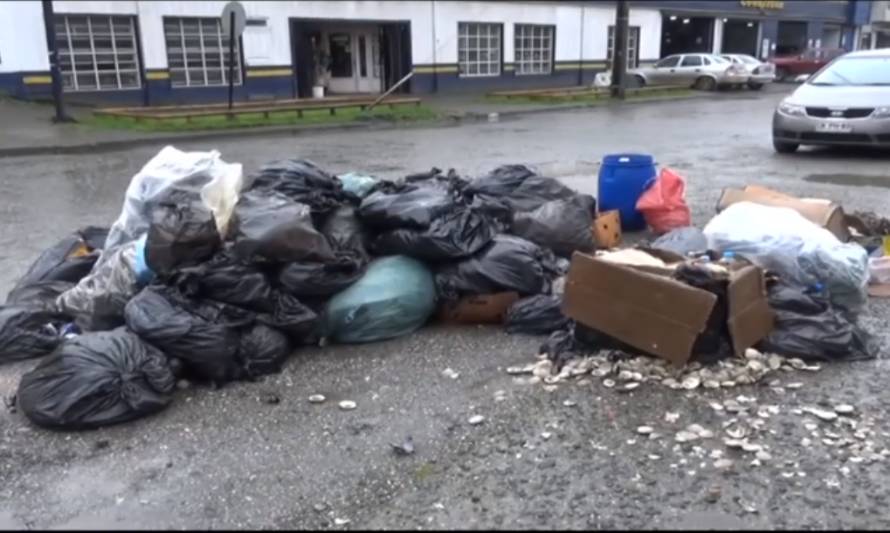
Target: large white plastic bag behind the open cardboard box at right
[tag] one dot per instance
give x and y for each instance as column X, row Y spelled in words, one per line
column 781, row 240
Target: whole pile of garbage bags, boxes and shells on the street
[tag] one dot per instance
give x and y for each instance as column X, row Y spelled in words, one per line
column 211, row 276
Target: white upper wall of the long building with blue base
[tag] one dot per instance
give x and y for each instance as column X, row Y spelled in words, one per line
column 21, row 22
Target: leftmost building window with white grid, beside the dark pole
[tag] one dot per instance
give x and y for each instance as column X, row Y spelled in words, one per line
column 97, row 52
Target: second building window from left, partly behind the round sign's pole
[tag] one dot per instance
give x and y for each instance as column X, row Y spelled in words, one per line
column 198, row 52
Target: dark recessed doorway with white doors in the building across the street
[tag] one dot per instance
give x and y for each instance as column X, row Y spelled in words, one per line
column 335, row 52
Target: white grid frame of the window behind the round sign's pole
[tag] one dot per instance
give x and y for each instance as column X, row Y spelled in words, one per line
column 223, row 44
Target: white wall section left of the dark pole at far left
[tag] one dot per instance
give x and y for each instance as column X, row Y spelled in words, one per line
column 22, row 37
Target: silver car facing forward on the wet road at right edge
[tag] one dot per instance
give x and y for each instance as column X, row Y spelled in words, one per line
column 845, row 103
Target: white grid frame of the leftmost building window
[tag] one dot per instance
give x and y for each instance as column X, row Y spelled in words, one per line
column 71, row 53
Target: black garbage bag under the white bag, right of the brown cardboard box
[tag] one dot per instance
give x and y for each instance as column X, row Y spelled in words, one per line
column 809, row 327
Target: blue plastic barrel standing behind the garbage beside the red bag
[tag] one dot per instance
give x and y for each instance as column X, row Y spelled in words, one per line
column 622, row 180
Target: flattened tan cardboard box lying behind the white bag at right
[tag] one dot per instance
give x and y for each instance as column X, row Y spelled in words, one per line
column 819, row 211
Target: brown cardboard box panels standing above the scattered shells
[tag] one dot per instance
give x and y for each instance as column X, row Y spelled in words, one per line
column 659, row 315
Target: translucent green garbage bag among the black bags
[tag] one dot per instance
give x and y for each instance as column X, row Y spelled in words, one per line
column 394, row 297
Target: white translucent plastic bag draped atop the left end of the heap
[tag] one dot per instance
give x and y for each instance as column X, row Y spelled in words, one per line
column 218, row 182
